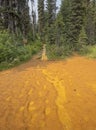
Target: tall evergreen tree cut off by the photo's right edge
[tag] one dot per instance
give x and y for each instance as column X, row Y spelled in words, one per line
column 91, row 22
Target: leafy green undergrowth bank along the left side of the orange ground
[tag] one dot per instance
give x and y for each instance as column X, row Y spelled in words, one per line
column 13, row 53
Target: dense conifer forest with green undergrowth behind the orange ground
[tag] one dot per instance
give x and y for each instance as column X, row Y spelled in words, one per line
column 71, row 28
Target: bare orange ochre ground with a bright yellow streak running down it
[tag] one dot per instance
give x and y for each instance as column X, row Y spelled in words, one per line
column 49, row 96
